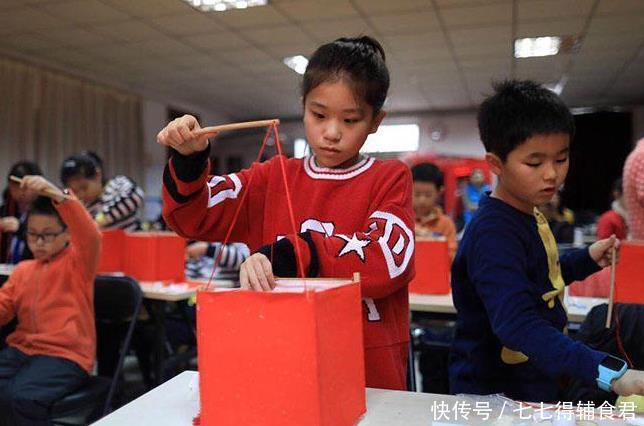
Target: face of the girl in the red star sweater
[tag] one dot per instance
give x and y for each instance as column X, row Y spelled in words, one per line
column 337, row 123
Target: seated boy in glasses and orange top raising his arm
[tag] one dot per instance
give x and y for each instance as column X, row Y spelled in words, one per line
column 52, row 350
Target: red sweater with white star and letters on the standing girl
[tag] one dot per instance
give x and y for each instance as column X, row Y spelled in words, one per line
column 358, row 219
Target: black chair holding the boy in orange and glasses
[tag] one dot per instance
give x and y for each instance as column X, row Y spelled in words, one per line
column 117, row 302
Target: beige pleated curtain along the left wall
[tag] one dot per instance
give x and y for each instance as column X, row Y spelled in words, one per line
column 46, row 116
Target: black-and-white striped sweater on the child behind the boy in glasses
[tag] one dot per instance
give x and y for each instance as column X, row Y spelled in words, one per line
column 119, row 205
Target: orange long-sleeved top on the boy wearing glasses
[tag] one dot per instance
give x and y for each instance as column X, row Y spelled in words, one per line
column 54, row 299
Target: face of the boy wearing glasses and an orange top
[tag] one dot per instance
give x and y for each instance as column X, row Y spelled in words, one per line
column 46, row 236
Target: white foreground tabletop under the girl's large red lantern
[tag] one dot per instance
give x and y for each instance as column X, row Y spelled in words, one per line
column 176, row 402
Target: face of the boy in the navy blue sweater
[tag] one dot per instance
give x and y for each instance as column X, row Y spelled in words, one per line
column 533, row 172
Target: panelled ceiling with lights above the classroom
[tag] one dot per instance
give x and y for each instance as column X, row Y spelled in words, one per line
column 442, row 54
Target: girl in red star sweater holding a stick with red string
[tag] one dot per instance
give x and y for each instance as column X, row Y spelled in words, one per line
column 353, row 212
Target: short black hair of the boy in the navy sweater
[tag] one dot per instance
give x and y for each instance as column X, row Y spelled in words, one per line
column 517, row 111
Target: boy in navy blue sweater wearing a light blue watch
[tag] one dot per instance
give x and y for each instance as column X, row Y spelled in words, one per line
column 507, row 277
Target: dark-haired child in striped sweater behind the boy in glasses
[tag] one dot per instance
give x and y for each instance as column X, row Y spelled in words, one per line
column 114, row 204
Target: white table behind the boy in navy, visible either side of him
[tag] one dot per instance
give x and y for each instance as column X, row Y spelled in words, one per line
column 578, row 307
